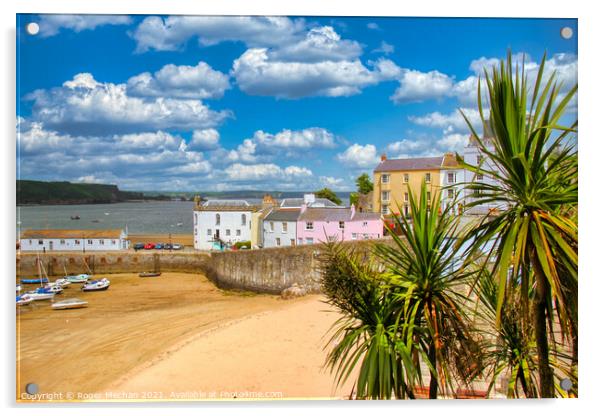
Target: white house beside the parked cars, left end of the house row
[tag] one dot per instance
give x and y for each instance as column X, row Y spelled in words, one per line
column 218, row 222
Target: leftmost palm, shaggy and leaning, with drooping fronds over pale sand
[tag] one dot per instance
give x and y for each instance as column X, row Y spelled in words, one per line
column 367, row 331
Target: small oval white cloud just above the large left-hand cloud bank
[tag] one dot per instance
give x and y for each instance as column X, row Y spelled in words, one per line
column 183, row 81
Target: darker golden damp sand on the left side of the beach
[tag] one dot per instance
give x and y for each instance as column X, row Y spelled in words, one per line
column 127, row 327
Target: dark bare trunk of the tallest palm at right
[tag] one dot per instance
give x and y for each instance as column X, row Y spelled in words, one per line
column 546, row 375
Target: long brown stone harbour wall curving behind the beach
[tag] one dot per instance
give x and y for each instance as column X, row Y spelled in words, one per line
column 268, row 270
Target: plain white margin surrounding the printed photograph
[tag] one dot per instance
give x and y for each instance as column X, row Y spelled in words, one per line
column 590, row 135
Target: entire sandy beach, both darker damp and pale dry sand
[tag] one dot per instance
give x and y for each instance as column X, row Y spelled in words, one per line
column 175, row 337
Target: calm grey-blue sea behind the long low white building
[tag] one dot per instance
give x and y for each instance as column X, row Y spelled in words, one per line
column 140, row 217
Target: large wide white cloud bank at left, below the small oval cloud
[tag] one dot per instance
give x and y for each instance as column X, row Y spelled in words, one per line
column 86, row 106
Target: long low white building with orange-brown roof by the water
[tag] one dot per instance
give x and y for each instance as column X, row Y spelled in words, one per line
column 73, row 240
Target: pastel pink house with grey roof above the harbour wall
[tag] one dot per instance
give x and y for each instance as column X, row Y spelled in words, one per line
column 316, row 225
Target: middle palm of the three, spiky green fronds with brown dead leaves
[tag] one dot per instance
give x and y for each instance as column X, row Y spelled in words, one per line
column 431, row 290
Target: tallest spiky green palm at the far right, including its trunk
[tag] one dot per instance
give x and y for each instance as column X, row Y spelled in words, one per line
column 532, row 162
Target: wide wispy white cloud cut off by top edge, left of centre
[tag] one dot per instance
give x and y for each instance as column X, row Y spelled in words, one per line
column 171, row 33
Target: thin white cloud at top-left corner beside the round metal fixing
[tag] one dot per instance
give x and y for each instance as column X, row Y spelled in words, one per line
column 51, row 24
